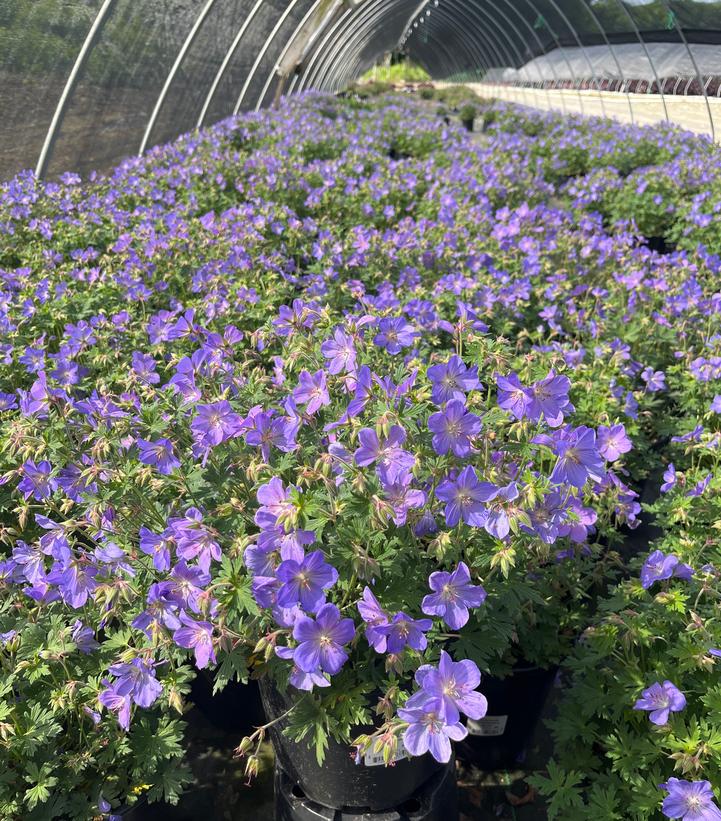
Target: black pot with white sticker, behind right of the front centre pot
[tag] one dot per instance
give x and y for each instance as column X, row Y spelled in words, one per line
column 515, row 704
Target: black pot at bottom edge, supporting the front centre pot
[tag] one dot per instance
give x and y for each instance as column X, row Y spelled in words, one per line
column 436, row 800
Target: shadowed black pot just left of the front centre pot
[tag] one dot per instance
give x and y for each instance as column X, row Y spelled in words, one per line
column 236, row 708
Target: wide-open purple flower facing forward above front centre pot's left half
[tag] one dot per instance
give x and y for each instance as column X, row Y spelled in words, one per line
column 321, row 641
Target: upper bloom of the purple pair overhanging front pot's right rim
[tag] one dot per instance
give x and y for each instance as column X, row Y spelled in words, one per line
column 453, row 684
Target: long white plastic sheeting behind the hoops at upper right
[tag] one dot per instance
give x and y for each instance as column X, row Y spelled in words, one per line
column 657, row 59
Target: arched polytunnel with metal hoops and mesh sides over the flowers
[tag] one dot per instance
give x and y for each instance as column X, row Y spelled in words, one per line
column 85, row 82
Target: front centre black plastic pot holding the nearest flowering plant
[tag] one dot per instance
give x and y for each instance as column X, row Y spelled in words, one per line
column 341, row 784
